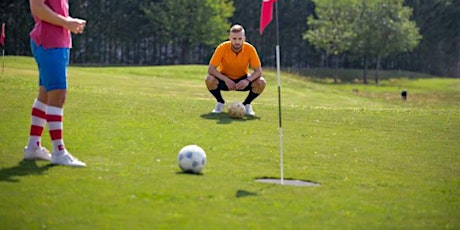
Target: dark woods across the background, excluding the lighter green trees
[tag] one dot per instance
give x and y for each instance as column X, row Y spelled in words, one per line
column 120, row 32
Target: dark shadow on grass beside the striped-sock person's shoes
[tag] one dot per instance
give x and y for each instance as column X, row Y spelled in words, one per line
column 24, row 168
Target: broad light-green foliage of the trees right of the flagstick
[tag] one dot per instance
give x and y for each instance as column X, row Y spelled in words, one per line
column 365, row 28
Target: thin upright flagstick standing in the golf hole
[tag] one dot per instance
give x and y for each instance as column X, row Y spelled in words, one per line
column 279, row 93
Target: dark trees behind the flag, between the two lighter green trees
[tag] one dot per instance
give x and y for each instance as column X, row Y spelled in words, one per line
column 294, row 52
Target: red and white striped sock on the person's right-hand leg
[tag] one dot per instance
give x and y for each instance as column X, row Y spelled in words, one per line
column 54, row 117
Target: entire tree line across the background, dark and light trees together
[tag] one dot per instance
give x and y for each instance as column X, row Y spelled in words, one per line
column 165, row 32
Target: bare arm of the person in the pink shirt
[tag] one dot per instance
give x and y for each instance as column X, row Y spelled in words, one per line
column 43, row 12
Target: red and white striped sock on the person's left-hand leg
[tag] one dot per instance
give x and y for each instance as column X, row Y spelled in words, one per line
column 37, row 124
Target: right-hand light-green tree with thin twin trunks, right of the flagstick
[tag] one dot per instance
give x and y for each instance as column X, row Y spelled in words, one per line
column 383, row 28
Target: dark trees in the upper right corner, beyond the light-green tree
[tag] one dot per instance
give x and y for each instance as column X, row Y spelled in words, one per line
column 439, row 50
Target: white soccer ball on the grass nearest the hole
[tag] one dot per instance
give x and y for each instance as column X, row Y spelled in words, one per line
column 191, row 159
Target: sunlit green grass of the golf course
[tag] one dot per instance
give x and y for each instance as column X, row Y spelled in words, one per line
column 382, row 163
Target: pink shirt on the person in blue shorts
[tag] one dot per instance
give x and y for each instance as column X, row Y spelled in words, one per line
column 49, row 35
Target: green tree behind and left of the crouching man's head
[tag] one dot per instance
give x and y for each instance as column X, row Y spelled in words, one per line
column 188, row 23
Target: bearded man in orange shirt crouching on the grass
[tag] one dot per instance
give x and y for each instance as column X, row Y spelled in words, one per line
column 229, row 70
